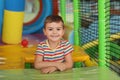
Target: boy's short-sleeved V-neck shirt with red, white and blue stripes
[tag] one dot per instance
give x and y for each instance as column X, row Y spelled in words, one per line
column 54, row 55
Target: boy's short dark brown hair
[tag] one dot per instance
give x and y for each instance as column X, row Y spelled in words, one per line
column 53, row 18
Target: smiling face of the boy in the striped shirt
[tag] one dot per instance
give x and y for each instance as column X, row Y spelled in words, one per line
column 54, row 31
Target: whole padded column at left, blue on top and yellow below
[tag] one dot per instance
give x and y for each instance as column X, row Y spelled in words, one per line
column 13, row 21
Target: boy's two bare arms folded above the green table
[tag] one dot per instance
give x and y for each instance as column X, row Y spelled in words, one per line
column 39, row 64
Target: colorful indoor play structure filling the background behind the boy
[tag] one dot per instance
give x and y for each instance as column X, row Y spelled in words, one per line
column 95, row 28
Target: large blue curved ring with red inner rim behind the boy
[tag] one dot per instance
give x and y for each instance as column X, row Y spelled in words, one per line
column 38, row 22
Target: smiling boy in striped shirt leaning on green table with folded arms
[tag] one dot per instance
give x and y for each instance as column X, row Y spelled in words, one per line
column 54, row 53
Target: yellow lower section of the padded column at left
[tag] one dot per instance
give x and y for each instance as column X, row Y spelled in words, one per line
column 12, row 27
